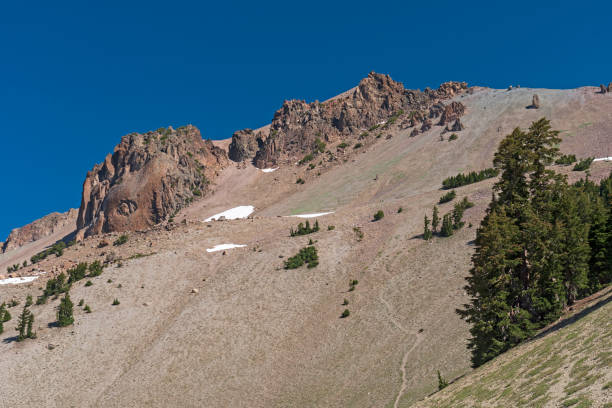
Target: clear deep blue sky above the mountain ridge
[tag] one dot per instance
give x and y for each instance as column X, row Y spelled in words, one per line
column 75, row 77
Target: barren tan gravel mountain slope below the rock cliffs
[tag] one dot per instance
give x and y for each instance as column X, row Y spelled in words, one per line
column 257, row 335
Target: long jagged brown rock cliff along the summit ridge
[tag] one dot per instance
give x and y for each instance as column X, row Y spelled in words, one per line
column 377, row 100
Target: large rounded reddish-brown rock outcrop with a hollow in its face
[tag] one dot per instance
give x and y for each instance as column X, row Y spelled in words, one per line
column 147, row 178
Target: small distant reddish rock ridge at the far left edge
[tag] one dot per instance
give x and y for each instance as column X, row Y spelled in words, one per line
column 38, row 229
